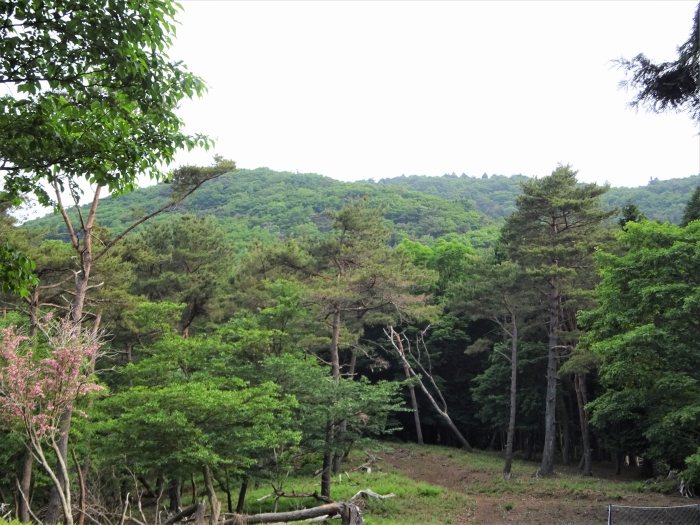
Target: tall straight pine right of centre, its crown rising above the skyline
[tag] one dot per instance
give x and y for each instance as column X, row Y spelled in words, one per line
column 552, row 234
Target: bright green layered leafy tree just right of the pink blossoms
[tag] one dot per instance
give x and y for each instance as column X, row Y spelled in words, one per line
column 182, row 408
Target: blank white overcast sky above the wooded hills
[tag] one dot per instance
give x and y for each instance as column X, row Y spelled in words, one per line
column 367, row 89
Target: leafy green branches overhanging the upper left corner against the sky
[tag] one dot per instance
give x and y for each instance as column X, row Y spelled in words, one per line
column 95, row 95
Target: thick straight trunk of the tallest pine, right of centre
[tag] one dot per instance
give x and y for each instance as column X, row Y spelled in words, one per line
column 550, row 428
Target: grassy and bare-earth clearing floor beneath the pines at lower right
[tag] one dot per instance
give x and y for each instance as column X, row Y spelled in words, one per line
column 565, row 498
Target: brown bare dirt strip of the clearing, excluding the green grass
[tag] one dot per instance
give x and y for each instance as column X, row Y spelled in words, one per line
column 552, row 505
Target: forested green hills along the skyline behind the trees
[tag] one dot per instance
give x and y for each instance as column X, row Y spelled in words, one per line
column 262, row 203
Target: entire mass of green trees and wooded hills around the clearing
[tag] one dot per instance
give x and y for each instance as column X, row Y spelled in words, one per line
column 226, row 328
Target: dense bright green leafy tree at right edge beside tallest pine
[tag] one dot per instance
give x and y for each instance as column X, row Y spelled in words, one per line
column 645, row 332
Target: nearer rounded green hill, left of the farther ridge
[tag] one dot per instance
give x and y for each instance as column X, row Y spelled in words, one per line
column 263, row 203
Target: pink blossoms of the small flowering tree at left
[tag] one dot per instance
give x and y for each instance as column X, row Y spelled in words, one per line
column 35, row 392
